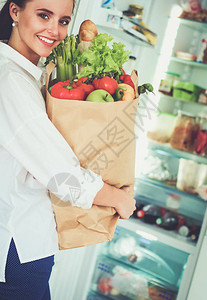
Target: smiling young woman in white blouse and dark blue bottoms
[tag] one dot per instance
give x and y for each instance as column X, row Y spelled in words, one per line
column 32, row 151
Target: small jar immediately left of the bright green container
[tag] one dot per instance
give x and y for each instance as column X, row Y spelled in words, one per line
column 166, row 84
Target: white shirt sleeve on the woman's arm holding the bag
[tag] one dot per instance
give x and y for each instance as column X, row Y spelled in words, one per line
column 30, row 137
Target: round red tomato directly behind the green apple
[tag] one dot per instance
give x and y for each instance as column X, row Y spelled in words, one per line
column 106, row 83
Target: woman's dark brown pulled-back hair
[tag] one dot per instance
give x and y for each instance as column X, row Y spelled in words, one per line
column 6, row 20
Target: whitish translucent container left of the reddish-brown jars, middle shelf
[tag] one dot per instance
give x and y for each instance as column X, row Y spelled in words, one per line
column 161, row 127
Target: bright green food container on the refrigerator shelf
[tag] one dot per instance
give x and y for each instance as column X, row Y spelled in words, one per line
column 186, row 91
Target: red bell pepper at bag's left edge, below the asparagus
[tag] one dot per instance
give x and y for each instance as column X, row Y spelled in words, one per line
column 62, row 90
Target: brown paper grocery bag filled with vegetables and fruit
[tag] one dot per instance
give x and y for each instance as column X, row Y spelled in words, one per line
column 102, row 137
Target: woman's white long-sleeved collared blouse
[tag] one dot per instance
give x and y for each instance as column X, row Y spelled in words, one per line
column 32, row 155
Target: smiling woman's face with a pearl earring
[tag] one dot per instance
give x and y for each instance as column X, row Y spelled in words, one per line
column 41, row 26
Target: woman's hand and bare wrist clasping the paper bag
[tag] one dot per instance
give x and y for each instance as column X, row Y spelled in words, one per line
column 121, row 199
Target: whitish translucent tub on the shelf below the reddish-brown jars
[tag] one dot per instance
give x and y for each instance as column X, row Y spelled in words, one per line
column 191, row 176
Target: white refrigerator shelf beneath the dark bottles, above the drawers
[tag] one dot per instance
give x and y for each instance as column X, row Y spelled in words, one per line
column 169, row 238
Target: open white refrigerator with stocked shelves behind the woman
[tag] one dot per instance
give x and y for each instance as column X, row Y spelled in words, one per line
column 145, row 261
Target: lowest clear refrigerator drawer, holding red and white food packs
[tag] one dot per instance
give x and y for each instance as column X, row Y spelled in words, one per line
column 118, row 281
